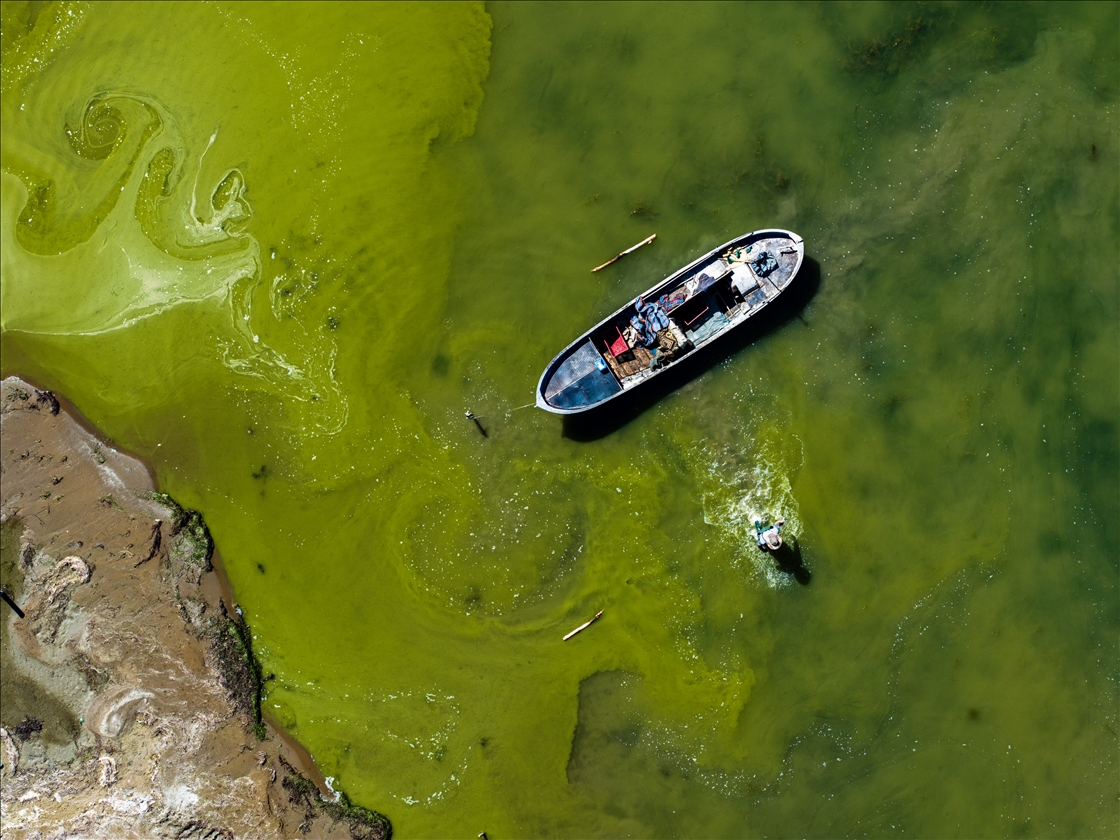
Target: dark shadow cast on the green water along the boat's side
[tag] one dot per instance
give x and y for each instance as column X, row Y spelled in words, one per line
column 790, row 306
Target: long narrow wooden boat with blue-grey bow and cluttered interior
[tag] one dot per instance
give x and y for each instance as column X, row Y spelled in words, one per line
column 695, row 306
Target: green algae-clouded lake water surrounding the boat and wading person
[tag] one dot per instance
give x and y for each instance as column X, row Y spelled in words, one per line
column 279, row 250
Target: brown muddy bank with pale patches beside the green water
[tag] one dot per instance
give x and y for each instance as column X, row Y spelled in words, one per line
column 130, row 695
